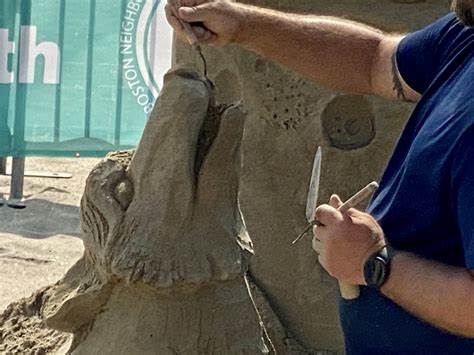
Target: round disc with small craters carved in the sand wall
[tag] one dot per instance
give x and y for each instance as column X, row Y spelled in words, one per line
column 348, row 122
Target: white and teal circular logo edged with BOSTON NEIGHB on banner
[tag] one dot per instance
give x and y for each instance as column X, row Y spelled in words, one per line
column 144, row 52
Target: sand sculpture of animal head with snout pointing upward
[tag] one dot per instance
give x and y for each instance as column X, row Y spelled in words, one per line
column 166, row 245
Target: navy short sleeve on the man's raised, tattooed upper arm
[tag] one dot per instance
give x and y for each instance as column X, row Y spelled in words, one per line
column 422, row 55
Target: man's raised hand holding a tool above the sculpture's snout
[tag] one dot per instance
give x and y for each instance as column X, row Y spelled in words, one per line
column 214, row 22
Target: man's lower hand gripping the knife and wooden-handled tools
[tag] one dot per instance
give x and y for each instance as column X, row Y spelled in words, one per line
column 346, row 241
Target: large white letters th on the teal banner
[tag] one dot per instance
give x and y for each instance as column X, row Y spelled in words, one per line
column 29, row 51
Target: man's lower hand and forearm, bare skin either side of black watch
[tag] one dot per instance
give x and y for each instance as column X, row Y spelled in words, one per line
column 439, row 294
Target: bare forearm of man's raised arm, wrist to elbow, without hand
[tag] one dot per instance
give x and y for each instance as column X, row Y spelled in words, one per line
column 337, row 53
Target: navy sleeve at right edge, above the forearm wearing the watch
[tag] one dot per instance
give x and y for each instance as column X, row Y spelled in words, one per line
column 462, row 193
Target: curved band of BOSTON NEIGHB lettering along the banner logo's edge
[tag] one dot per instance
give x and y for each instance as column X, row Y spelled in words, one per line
column 128, row 41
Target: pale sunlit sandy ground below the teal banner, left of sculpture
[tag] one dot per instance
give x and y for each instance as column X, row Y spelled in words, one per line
column 40, row 243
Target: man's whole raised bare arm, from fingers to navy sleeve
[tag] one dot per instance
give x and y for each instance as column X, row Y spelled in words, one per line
column 336, row 53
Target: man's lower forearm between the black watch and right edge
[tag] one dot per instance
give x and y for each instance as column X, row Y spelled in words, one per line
column 438, row 294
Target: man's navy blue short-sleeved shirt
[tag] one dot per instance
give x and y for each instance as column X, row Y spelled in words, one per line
column 425, row 204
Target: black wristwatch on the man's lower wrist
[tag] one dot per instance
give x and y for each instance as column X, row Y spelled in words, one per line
column 377, row 267
